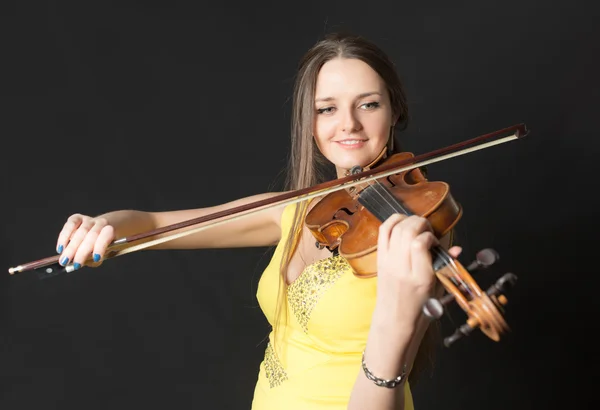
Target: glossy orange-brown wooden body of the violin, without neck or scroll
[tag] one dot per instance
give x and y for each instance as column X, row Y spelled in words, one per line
column 339, row 220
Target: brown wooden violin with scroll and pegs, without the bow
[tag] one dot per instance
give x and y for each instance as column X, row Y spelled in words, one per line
column 348, row 221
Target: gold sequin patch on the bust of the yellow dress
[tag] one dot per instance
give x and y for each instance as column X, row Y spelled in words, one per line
column 307, row 289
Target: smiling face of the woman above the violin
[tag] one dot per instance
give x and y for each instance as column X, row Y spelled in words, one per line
column 353, row 115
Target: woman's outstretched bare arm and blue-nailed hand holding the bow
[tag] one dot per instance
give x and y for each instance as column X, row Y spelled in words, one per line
column 83, row 236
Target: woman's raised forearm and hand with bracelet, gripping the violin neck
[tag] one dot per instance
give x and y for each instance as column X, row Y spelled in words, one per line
column 405, row 281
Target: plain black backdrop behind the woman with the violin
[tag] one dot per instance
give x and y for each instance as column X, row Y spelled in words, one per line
column 168, row 105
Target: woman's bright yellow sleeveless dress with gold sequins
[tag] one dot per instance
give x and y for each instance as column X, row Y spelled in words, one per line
column 319, row 349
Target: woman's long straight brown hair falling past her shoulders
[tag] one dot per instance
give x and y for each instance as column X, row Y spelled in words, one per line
column 307, row 166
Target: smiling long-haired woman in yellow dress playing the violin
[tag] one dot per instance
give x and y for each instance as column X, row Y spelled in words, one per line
column 331, row 329
